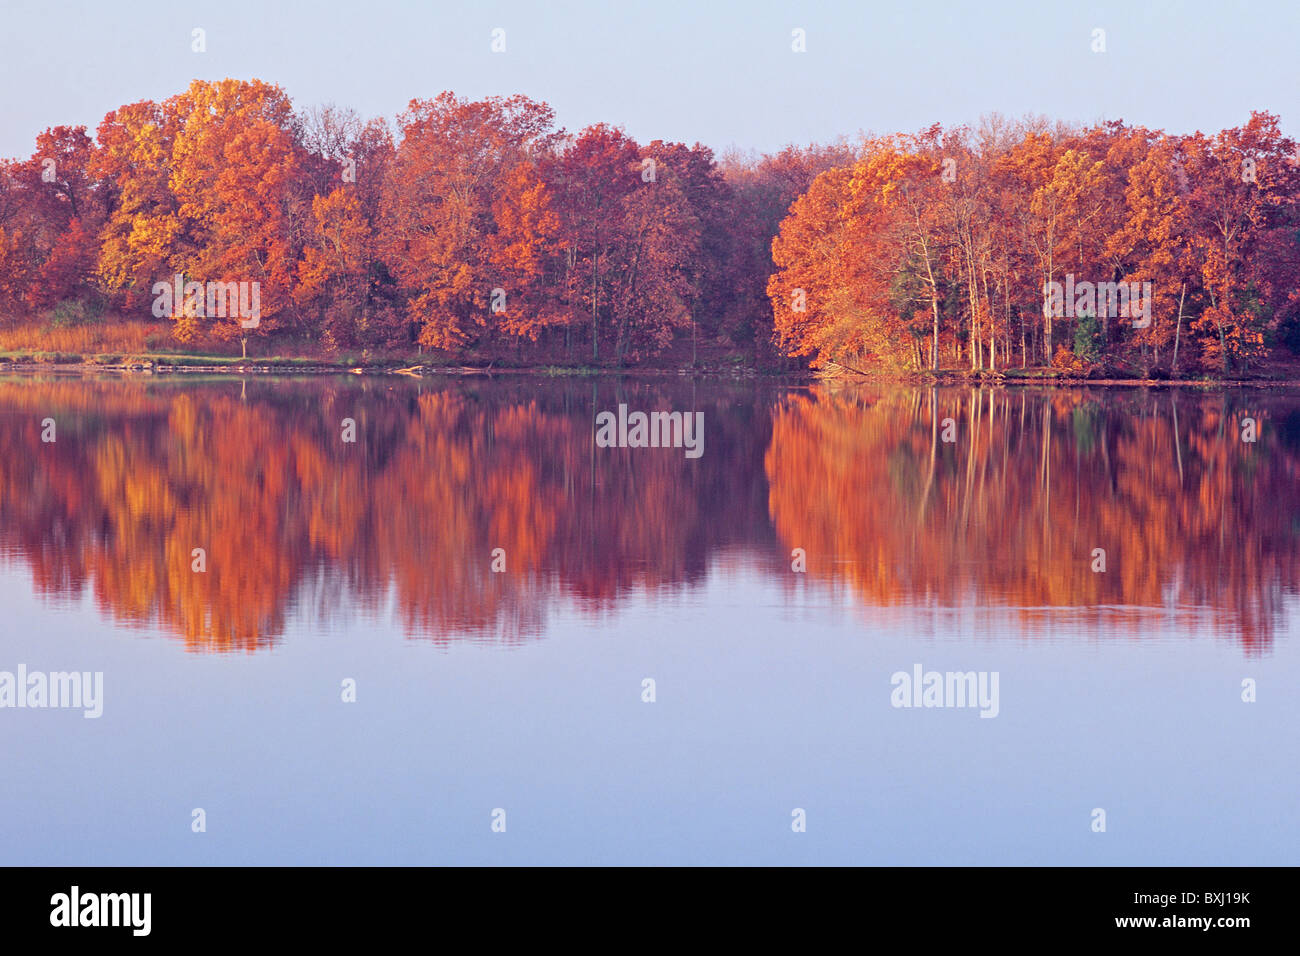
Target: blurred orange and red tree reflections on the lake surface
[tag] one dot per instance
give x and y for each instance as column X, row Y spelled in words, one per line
column 1195, row 524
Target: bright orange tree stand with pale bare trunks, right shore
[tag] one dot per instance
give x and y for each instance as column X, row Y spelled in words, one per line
column 954, row 248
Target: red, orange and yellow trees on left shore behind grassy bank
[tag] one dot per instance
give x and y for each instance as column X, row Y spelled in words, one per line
column 474, row 226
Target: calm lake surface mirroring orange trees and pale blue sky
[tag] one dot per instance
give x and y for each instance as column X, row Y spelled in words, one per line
column 371, row 563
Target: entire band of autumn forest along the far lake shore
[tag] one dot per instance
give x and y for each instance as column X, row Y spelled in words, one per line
column 482, row 232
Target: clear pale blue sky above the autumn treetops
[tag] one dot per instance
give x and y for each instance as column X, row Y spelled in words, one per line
column 721, row 73
